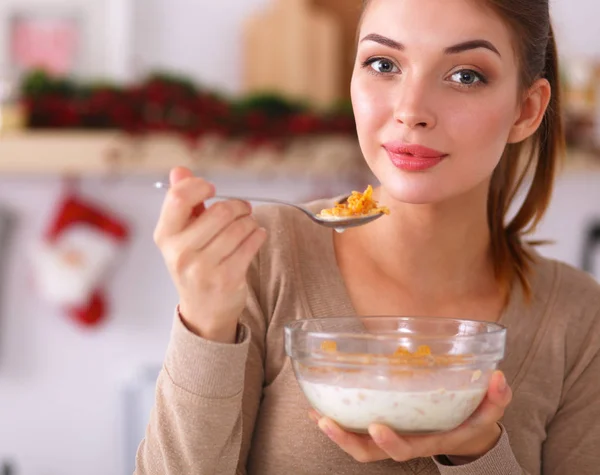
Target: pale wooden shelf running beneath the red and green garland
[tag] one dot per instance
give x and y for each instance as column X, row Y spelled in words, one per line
column 100, row 153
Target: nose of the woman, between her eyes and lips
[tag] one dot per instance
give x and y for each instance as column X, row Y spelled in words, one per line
column 414, row 107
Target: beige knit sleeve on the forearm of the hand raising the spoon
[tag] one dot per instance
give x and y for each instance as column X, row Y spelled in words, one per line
column 207, row 399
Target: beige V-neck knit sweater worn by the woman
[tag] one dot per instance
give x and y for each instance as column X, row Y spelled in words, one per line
column 237, row 409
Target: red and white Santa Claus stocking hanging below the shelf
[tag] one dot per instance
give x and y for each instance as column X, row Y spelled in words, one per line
column 72, row 261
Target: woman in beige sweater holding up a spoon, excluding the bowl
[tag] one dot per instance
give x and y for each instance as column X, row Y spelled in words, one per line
column 447, row 95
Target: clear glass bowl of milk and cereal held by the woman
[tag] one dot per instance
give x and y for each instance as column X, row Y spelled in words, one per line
column 416, row 375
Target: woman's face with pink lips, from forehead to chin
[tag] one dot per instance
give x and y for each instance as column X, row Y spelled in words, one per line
column 435, row 95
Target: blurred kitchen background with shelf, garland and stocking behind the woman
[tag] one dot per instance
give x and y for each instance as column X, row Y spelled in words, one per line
column 98, row 100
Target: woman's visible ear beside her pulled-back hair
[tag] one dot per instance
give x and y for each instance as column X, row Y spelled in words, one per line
column 532, row 111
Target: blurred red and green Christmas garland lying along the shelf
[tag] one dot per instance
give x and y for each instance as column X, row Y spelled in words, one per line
column 165, row 103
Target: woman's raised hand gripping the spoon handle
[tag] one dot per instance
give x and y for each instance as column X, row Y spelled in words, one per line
column 207, row 252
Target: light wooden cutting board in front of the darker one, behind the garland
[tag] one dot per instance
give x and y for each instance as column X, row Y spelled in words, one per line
column 296, row 49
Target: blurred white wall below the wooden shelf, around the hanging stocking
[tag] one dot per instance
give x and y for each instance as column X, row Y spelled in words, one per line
column 61, row 387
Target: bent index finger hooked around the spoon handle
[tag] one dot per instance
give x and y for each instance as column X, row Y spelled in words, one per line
column 179, row 204
